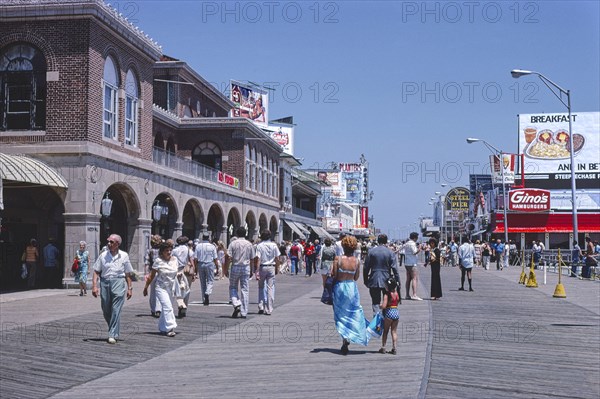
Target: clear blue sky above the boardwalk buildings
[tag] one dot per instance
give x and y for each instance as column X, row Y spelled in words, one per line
column 402, row 82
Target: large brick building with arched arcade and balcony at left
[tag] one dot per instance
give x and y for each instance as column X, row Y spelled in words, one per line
column 92, row 110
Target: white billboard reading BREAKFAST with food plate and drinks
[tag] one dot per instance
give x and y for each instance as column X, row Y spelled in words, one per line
column 544, row 140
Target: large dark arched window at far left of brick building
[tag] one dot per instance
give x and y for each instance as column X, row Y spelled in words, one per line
column 22, row 88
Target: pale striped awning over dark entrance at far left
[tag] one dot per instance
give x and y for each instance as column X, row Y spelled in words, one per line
column 21, row 168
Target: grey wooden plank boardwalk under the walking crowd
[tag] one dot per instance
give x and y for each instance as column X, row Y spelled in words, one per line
column 503, row 340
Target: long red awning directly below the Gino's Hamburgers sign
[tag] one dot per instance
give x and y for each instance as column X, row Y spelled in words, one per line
column 548, row 223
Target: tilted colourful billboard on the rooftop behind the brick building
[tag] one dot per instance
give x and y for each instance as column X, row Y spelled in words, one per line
column 250, row 102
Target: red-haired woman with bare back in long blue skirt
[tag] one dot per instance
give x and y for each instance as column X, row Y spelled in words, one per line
column 347, row 312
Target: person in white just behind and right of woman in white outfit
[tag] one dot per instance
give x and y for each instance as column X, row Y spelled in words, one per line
column 185, row 274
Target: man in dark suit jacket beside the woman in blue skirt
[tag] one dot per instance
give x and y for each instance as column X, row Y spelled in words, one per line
column 379, row 263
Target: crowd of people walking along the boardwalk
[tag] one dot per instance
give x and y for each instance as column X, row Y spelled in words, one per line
column 172, row 267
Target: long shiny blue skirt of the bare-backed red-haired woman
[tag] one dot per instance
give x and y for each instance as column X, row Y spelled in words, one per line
column 348, row 314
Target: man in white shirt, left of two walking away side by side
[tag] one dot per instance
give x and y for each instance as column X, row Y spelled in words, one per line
column 240, row 253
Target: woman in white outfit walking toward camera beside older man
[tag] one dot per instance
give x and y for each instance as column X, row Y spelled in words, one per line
column 164, row 269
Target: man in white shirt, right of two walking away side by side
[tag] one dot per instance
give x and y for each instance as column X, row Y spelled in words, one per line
column 267, row 266
